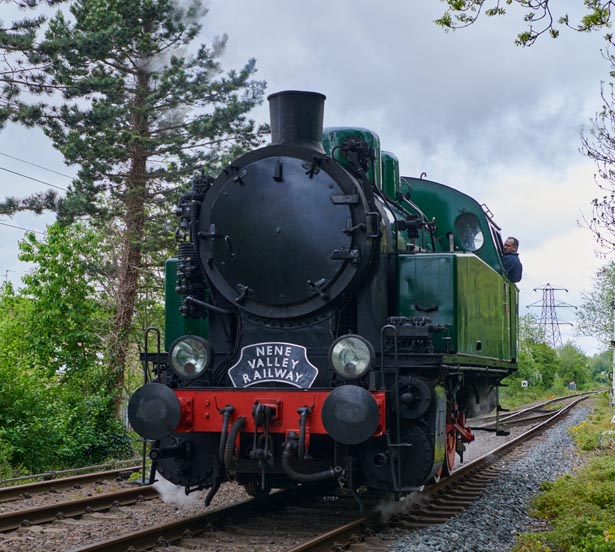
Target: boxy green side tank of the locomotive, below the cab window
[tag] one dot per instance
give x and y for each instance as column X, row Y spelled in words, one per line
column 460, row 291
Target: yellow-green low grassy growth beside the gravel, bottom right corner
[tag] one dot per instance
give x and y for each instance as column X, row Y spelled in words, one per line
column 580, row 508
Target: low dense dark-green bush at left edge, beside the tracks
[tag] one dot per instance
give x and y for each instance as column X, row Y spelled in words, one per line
column 49, row 424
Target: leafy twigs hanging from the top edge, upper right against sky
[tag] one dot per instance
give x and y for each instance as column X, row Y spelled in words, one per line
column 538, row 16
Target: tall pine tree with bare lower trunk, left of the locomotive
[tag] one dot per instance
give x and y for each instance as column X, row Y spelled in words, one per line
column 123, row 100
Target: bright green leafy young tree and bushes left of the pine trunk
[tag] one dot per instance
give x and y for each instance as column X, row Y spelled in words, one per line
column 56, row 408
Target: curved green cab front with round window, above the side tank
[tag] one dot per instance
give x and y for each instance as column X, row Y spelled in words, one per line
column 446, row 204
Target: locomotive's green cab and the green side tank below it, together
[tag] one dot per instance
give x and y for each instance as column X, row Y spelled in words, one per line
column 462, row 287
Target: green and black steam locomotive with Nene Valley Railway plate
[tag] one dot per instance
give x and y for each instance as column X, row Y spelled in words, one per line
column 327, row 321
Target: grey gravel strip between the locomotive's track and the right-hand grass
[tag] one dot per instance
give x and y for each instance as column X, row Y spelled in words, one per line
column 491, row 523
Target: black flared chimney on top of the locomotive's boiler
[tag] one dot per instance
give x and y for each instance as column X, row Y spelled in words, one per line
column 296, row 118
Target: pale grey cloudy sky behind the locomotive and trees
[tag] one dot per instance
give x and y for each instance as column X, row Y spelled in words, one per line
column 469, row 108
